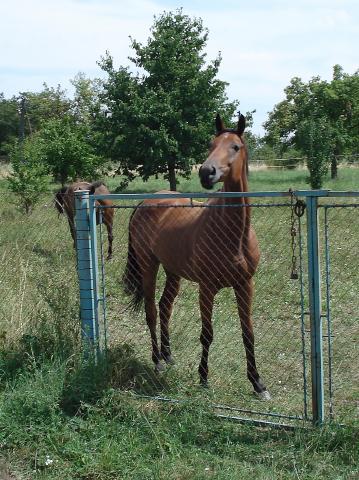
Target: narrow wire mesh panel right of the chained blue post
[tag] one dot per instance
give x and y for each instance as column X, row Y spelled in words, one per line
column 340, row 275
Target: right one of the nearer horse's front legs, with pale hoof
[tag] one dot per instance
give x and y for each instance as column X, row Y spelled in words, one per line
column 244, row 296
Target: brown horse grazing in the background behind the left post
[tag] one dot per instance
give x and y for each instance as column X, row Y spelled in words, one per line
column 65, row 204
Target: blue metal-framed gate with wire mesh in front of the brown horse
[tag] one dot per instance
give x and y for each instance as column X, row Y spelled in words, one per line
column 305, row 311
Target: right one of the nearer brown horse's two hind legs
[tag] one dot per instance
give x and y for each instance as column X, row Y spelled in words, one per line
column 169, row 294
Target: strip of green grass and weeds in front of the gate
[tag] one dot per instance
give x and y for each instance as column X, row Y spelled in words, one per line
column 115, row 435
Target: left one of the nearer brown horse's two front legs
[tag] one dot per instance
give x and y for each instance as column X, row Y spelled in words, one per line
column 206, row 298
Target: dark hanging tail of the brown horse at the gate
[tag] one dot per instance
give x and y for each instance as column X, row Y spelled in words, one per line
column 132, row 277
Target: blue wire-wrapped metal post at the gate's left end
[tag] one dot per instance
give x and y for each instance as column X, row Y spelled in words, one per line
column 86, row 273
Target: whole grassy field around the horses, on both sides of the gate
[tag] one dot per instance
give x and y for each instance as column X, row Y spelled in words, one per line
column 61, row 419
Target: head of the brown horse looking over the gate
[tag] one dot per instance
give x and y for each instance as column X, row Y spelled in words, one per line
column 227, row 156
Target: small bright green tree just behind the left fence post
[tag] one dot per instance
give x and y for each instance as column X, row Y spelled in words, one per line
column 68, row 151
